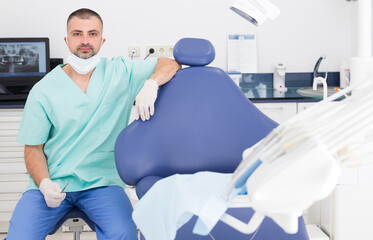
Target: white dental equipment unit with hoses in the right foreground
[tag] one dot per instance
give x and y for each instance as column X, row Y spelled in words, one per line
column 303, row 157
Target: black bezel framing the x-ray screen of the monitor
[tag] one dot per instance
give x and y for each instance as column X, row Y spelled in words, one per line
column 26, row 80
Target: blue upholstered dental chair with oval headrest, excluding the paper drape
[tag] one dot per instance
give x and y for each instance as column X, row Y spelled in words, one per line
column 202, row 122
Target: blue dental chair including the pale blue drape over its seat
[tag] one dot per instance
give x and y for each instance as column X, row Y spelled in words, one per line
column 163, row 158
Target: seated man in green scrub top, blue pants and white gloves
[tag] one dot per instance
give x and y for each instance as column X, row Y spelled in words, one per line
column 71, row 120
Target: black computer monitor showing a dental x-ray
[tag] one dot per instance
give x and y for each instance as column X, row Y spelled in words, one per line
column 23, row 61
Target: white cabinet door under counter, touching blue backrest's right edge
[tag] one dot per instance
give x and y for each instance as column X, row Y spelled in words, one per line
column 279, row 112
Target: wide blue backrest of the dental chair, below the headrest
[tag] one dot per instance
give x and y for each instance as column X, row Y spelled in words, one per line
column 203, row 122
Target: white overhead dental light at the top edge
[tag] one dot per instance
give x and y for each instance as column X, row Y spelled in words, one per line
column 255, row 11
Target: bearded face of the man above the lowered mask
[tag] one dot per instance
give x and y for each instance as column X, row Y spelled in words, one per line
column 84, row 36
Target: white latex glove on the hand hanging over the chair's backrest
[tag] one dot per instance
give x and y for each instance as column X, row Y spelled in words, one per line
column 145, row 100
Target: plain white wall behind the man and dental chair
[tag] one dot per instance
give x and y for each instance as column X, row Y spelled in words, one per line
column 304, row 30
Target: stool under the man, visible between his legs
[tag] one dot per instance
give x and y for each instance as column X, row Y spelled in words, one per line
column 73, row 220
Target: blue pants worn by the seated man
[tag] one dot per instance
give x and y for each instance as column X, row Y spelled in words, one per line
column 108, row 207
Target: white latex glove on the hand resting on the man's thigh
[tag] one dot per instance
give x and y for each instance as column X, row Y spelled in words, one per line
column 52, row 193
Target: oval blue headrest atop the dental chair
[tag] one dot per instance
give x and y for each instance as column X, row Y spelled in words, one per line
column 194, row 52
